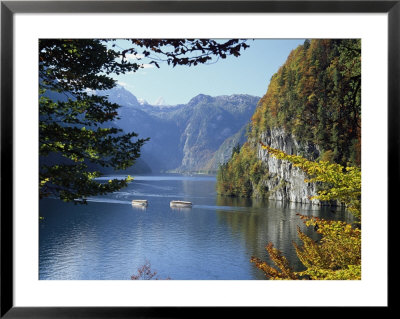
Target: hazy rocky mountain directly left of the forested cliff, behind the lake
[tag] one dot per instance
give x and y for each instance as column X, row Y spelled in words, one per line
column 207, row 123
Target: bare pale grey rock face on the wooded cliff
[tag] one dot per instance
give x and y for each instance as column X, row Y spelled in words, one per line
column 286, row 182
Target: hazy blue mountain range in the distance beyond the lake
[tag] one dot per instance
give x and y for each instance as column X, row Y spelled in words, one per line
column 184, row 137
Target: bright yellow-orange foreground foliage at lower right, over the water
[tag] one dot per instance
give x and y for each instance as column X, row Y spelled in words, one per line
column 337, row 255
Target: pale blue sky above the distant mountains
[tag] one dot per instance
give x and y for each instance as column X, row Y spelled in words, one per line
column 249, row 73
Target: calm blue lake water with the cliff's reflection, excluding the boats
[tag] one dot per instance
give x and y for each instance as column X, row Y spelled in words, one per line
column 110, row 239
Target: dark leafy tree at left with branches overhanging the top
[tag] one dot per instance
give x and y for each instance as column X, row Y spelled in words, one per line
column 76, row 135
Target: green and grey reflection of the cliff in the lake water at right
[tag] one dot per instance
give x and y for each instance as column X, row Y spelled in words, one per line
column 272, row 221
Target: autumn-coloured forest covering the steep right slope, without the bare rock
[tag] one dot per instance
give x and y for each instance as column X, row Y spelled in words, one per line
column 316, row 97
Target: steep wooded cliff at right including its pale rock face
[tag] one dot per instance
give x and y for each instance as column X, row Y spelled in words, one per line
column 312, row 108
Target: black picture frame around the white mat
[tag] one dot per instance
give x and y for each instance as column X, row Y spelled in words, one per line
column 9, row 8
